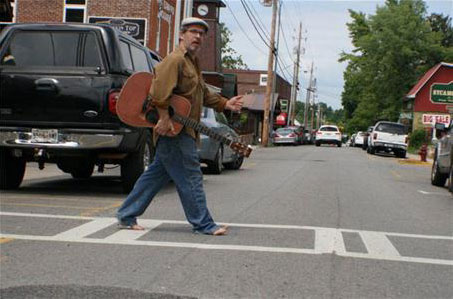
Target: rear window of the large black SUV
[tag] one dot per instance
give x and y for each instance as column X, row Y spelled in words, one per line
column 50, row 49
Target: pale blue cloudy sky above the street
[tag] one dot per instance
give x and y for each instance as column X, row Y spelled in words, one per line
column 324, row 37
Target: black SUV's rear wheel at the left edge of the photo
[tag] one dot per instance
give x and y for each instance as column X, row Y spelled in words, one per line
column 12, row 171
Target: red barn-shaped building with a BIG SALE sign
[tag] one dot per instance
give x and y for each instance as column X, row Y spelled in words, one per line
column 431, row 99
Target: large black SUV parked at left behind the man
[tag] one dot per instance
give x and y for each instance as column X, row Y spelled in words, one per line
column 59, row 84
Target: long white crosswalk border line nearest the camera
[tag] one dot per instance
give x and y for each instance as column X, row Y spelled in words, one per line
column 233, row 247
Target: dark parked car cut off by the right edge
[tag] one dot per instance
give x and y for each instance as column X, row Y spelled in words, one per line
column 443, row 157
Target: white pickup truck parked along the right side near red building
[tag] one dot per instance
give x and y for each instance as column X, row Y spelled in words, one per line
column 388, row 137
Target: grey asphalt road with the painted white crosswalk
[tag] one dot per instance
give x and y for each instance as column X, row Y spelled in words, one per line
column 318, row 222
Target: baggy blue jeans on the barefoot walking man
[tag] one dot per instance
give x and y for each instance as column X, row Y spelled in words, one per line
column 176, row 159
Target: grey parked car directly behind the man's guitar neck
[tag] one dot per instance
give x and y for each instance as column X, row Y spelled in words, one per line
column 215, row 154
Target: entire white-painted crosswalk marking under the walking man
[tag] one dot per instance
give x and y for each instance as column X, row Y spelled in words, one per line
column 327, row 240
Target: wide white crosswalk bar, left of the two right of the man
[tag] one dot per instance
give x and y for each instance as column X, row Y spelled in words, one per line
column 329, row 240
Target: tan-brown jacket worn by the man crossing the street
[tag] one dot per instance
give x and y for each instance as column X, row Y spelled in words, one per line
column 180, row 74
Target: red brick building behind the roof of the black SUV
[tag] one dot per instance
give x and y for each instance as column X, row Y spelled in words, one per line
column 149, row 21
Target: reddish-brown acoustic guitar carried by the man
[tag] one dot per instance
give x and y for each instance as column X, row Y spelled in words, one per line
column 134, row 108
